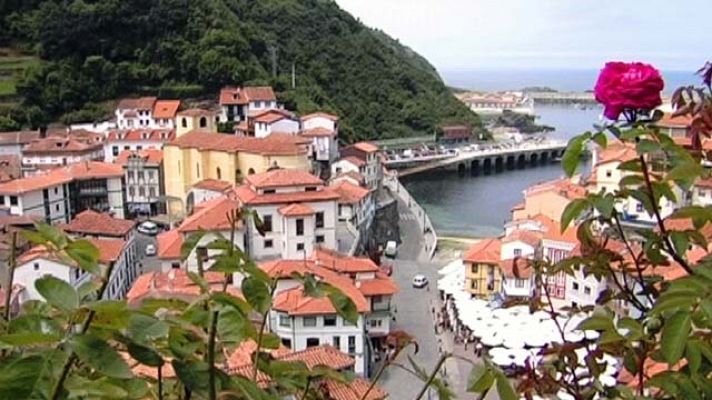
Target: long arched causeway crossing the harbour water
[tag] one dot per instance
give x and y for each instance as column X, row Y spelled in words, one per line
column 492, row 158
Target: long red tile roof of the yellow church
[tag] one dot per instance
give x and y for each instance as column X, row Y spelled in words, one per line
column 274, row 144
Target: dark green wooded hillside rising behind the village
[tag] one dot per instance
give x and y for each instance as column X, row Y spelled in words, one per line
column 104, row 49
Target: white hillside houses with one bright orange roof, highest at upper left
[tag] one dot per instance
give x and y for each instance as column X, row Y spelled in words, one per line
column 146, row 113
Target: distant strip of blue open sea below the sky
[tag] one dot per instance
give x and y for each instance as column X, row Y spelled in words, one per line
column 563, row 80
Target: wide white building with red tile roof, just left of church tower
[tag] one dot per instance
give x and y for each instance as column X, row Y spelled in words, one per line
column 135, row 140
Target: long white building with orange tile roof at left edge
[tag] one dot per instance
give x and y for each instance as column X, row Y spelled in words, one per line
column 56, row 196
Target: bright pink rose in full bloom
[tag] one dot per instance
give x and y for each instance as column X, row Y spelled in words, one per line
column 628, row 86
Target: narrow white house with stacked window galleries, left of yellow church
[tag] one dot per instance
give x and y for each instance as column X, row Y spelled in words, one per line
column 144, row 178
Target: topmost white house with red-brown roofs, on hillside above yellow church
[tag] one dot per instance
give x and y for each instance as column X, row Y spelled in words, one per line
column 237, row 104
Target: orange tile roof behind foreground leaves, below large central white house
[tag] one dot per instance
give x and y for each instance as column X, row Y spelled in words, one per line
column 174, row 284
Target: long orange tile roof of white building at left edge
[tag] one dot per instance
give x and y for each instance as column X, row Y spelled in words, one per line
column 54, row 177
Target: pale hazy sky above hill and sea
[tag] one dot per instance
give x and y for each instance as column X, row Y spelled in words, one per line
column 545, row 34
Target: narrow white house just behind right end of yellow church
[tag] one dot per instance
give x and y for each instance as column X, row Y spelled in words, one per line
column 323, row 129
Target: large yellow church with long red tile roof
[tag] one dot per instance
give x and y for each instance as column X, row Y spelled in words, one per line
column 199, row 155
